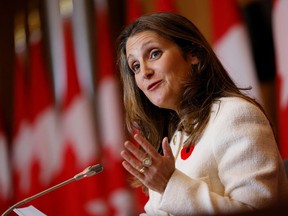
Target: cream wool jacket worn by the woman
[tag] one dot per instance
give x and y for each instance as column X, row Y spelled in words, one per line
column 234, row 167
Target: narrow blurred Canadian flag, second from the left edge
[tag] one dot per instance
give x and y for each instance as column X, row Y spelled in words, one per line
column 21, row 132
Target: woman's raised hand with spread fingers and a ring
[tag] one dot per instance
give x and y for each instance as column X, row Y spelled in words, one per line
column 151, row 168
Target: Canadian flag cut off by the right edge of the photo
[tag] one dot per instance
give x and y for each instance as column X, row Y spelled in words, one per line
column 280, row 32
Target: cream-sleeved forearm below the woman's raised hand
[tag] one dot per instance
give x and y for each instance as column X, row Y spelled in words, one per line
column 187, row 196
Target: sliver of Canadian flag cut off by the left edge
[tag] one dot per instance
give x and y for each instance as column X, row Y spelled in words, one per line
column 5, row 172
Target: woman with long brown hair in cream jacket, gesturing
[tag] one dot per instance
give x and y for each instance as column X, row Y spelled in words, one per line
column 204, row 146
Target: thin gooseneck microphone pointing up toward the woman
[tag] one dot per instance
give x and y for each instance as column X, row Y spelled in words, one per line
column 89, row 171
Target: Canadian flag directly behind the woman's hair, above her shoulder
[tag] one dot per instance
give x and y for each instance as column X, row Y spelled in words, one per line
column 231, row 44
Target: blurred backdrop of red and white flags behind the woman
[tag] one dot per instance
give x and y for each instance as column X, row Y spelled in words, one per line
column 60, row 97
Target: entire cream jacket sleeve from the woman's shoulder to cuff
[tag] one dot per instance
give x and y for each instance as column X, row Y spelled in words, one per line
column 248, row 163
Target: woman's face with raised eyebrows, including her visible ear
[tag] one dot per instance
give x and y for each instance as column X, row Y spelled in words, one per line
column 159, row 66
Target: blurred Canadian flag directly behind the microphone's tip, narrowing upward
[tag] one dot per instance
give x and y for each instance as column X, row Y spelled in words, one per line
column 79, row 142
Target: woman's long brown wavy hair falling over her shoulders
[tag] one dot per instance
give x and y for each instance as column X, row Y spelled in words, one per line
column 208, row 81
